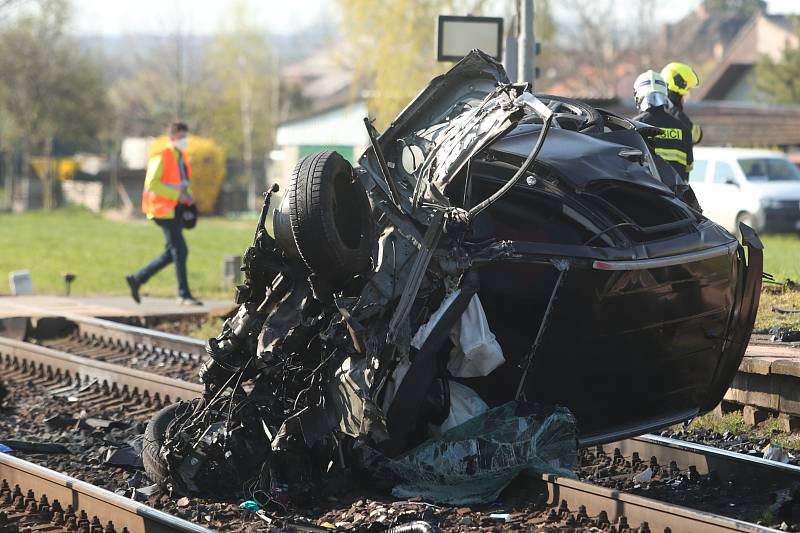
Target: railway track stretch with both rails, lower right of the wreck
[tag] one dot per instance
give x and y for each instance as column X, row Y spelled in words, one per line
column 710, row 472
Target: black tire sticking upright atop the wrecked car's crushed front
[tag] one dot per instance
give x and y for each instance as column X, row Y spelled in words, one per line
column 330, row 217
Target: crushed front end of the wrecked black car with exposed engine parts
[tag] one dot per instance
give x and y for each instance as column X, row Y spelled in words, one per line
column 332, row 362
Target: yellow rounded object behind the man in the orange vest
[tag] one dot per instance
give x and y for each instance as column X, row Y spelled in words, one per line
column 208, row 168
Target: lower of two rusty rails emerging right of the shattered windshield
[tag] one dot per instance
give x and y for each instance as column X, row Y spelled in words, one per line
column 637, row 509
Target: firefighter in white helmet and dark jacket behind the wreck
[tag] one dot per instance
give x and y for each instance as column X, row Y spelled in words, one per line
column 674, row 144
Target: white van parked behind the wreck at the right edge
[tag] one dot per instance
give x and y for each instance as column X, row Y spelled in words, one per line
column 758, row 187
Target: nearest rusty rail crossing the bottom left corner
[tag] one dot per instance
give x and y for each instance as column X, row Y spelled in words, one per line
column 95, row 501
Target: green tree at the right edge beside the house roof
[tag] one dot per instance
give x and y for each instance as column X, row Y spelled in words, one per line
column 778, row 80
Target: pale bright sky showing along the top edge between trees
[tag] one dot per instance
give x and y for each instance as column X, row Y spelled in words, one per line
column 278, row 16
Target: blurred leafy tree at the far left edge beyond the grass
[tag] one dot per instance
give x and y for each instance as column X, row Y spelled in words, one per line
column 51, row 90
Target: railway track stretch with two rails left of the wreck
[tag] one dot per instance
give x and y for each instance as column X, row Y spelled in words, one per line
column 102, row 363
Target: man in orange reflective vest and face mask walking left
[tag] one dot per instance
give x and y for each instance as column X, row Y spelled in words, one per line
column 166, row 186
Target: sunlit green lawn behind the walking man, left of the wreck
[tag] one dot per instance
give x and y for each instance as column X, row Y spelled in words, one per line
column 100, row 251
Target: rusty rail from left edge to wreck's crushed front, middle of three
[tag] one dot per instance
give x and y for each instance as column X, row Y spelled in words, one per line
column 56, row 361
